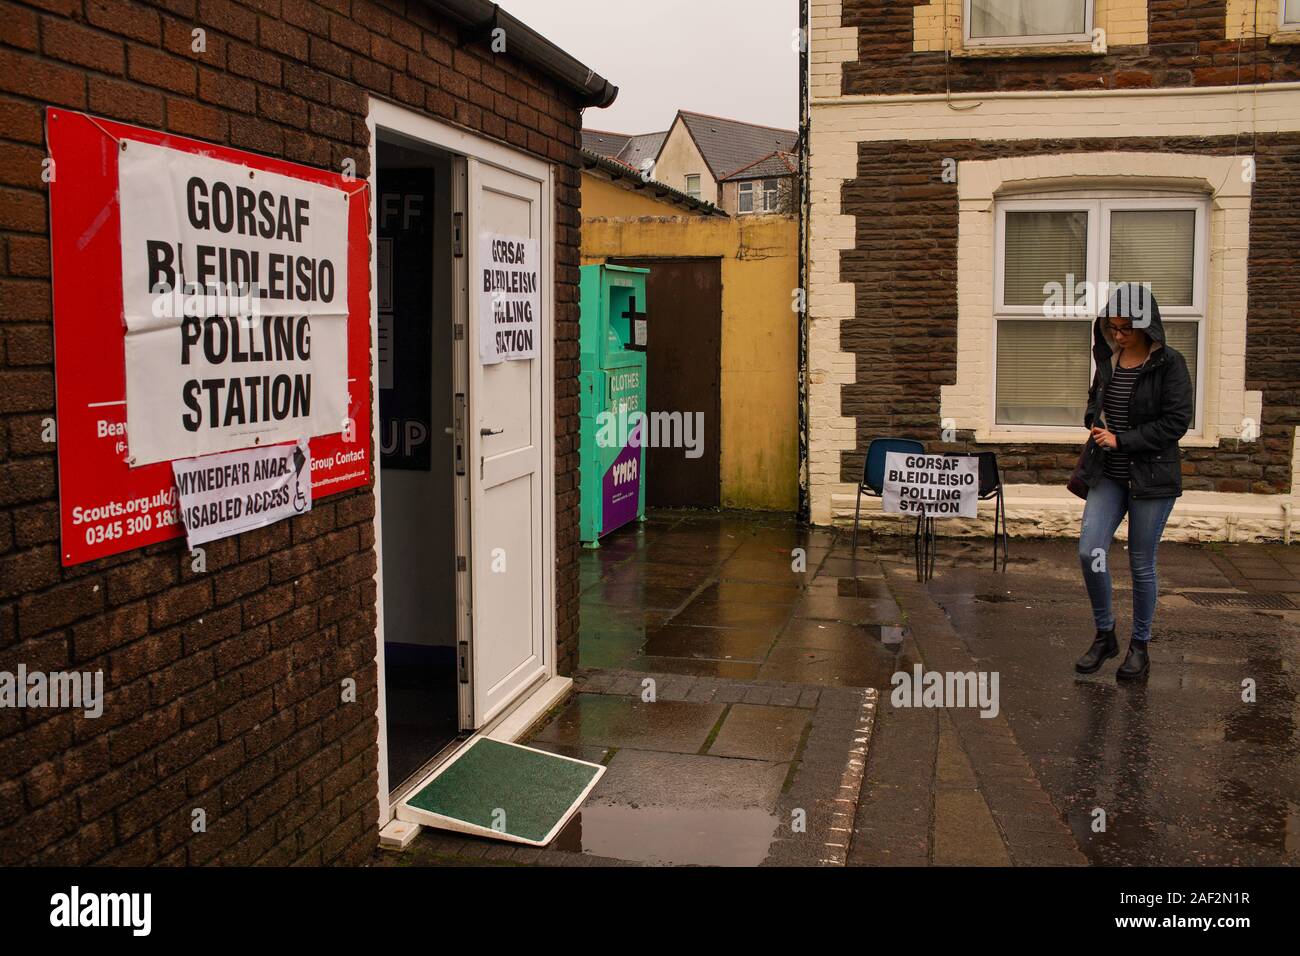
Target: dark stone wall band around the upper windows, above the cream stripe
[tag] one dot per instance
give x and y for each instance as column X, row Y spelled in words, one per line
column 1188, row 45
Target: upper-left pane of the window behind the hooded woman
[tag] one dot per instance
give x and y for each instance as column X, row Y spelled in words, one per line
column 1042, row 249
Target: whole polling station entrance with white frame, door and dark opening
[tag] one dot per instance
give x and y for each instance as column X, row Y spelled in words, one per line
column 466, row 547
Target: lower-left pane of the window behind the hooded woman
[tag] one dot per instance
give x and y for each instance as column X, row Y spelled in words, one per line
column 1043, row 371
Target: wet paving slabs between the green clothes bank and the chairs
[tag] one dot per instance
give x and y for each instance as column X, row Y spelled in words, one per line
column 738, row 591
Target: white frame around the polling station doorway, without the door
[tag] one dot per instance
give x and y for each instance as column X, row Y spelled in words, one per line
column 457, row 141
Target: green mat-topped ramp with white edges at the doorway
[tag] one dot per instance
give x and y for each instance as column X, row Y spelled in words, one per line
column 504, row 791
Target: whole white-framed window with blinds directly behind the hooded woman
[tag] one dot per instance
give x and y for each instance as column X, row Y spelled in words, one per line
column 1055, row 262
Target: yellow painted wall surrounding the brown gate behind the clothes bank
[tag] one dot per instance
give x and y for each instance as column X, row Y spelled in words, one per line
column 760, row 341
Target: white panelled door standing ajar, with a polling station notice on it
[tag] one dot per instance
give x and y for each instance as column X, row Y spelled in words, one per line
column 506, row 458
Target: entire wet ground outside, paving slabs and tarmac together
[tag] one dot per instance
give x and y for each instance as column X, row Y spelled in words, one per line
column 761, row 642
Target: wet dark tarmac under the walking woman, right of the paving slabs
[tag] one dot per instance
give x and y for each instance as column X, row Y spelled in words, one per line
column 1185, row 771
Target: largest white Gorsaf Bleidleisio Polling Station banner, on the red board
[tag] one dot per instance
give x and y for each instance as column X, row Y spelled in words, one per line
column 235, row 295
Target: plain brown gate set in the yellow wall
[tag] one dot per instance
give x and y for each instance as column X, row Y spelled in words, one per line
column 684, row 375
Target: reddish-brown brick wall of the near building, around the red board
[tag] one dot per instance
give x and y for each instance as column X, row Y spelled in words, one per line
column 223, row 690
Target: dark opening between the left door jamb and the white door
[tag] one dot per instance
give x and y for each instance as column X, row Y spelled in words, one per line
column 419, row 452
